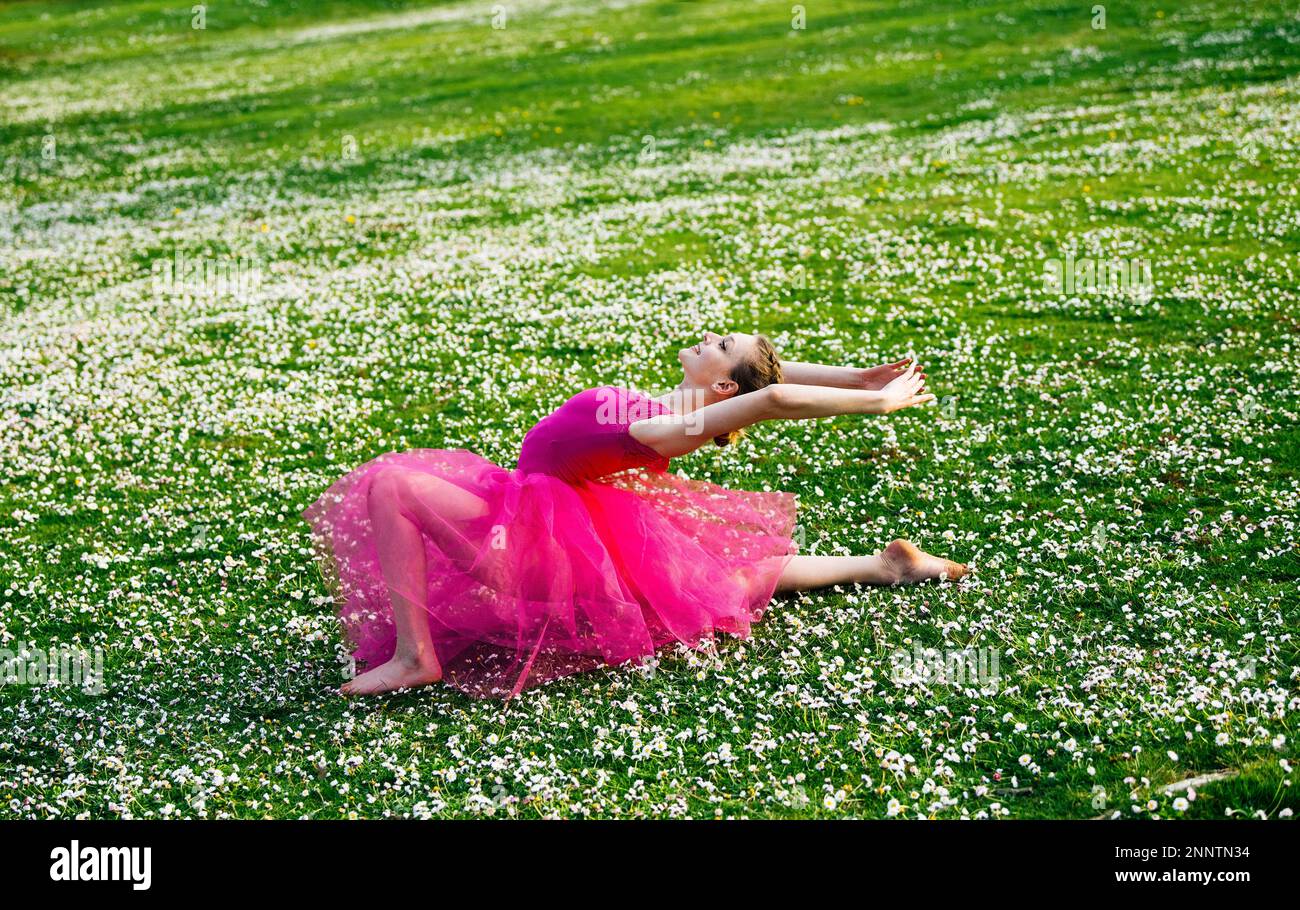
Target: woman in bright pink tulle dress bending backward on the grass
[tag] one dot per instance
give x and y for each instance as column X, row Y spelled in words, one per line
column 590, row 553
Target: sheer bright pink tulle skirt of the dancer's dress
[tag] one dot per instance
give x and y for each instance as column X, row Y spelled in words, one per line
column 528, row 578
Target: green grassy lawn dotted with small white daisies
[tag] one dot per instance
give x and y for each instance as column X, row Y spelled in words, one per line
column 432, row 231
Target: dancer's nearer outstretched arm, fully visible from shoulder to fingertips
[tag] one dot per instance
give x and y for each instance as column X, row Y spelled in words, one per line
column 678, row 435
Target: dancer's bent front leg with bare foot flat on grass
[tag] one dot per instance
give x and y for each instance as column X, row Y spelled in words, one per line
column 404, row 506
